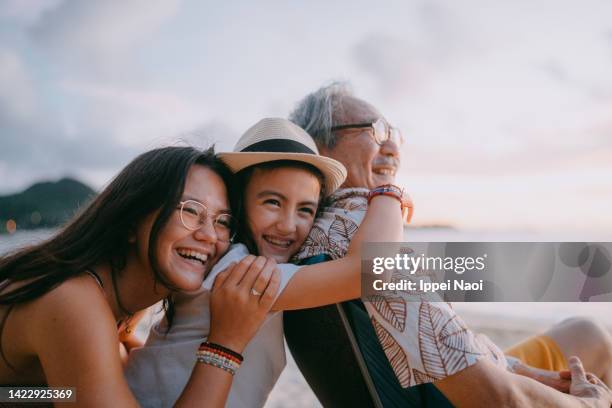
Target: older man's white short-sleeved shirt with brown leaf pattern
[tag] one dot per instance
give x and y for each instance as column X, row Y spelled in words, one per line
column 424, row 341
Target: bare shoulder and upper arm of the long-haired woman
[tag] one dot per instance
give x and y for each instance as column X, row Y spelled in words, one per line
column 74, row 336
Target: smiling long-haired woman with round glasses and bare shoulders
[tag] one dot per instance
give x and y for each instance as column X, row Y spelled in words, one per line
column 62, row 302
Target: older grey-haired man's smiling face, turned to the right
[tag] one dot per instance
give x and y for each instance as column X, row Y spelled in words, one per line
column 368, row 164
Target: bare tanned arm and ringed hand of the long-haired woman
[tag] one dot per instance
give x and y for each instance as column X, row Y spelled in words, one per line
column 75, row 352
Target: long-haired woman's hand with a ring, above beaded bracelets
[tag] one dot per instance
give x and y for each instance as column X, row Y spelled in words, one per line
column 236, row 313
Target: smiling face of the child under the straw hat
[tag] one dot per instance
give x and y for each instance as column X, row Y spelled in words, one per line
column 280, row 205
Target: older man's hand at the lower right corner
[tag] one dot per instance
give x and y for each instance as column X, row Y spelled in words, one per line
column 587, row 386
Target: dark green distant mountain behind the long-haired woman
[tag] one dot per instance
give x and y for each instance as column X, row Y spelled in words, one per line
column 43, row 205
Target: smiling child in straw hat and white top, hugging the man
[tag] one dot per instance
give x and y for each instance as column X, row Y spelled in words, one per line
column 282, row 179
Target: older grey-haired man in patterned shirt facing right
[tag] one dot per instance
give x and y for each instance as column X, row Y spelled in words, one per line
column 351, row 354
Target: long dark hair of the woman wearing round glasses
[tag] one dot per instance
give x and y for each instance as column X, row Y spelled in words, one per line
column 155, row 180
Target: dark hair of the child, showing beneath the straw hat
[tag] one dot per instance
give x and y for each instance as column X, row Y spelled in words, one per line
column 242, row 179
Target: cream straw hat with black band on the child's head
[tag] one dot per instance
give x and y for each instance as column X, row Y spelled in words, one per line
column 273, row 139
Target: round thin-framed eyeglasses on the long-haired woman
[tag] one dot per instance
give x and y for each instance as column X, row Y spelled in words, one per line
column 195, row 214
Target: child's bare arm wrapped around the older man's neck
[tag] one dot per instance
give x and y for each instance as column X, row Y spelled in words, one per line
column 339, row 280
